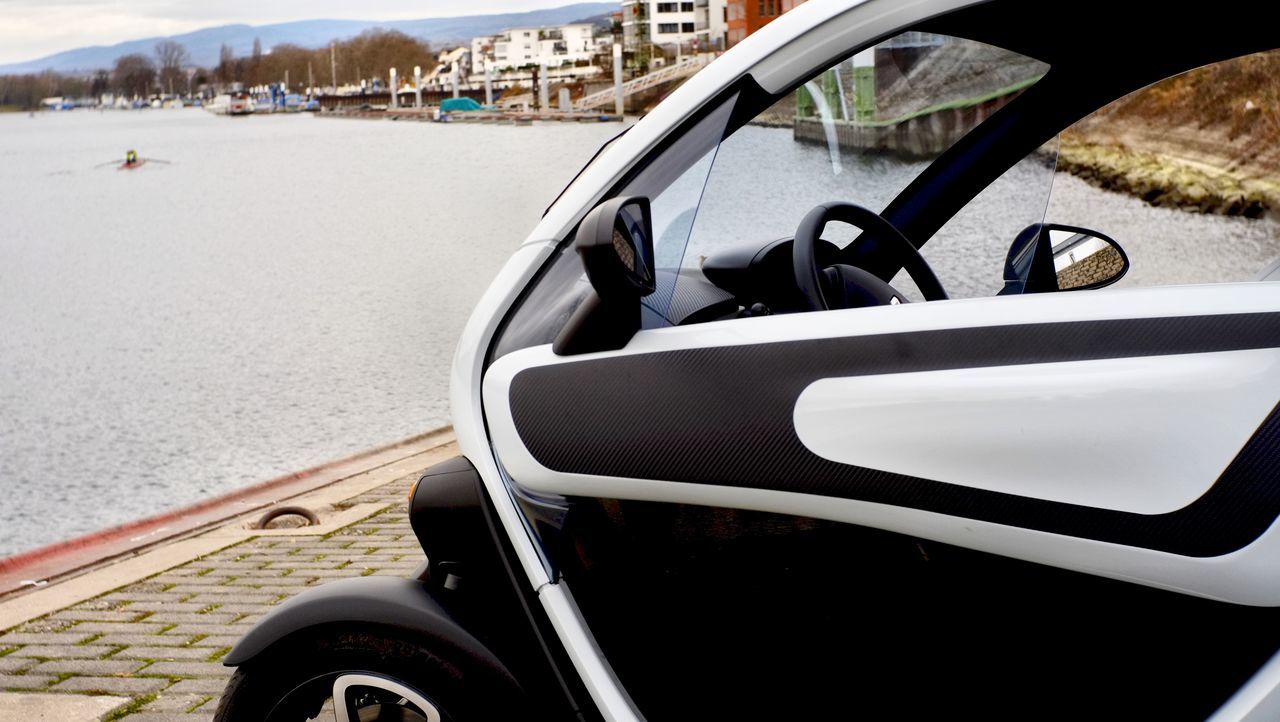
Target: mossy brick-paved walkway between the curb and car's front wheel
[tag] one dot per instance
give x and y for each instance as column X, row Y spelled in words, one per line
column 157, row 643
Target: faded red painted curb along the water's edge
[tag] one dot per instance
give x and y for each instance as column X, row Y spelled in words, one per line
column 63, row 558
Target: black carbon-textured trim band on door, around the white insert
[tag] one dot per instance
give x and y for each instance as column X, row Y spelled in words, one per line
column 724, row 417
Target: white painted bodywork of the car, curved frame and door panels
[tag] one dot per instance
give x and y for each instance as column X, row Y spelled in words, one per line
column 1135, row 465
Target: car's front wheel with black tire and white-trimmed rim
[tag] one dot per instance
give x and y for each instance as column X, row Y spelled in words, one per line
column 363, row 677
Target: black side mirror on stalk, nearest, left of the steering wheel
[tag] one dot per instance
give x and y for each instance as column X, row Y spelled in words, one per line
column 615, row 243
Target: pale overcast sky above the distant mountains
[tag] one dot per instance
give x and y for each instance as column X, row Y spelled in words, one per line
column 34, row 29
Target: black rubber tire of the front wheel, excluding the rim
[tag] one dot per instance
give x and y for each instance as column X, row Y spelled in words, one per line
column 291, row 682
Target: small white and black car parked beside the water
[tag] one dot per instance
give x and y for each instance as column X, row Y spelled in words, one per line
column 725, row 461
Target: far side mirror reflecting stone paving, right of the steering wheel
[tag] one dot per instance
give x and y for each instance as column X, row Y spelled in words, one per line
column 1050, row 257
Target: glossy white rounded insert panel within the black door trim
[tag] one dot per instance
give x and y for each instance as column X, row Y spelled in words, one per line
column 1110, row 435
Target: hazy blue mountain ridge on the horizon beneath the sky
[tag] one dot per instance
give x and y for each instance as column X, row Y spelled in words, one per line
column 204, row 44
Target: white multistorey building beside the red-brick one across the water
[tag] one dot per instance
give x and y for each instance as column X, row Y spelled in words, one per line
column 691, row 25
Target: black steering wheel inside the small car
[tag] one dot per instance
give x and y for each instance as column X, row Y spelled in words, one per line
column 810, row 277
